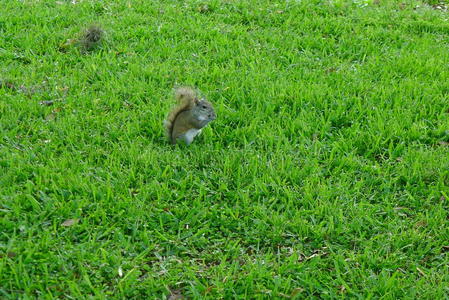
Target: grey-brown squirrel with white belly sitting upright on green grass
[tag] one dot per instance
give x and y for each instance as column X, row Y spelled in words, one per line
column 186, row 120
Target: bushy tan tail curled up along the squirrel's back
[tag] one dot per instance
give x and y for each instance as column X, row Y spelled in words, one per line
column 185, row 97
